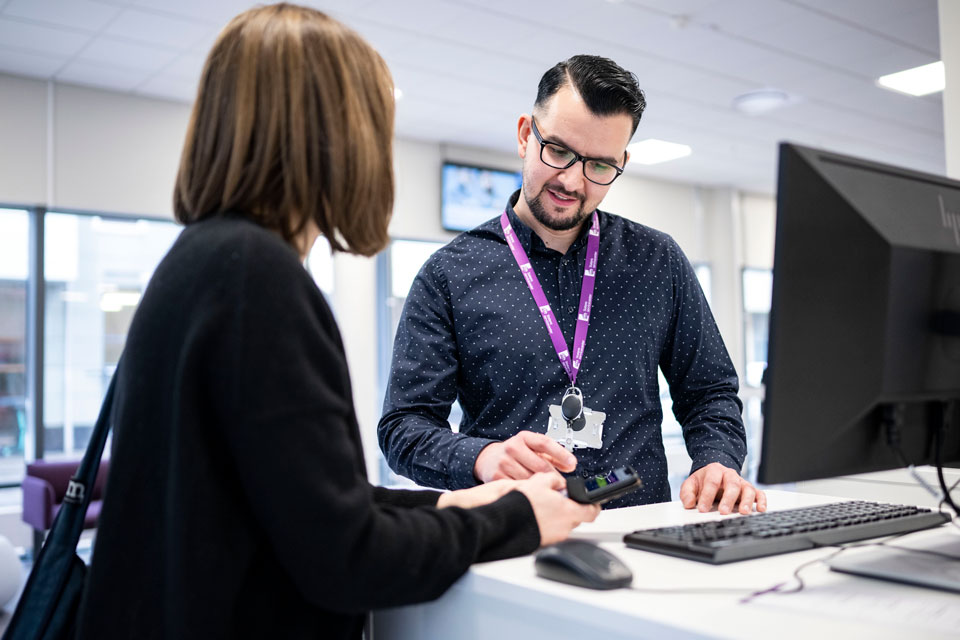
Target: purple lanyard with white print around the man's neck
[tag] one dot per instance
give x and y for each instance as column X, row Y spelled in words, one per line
column 586, row 295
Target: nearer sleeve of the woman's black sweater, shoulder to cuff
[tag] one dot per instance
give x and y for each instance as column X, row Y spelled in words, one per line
column 290, row 428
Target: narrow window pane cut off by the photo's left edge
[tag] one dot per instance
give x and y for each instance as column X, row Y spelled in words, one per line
column 14, row 230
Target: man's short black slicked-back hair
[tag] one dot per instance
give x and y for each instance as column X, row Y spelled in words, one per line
column 606, row 87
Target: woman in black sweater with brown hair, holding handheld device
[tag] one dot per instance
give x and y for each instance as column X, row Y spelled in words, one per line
column 238, row 504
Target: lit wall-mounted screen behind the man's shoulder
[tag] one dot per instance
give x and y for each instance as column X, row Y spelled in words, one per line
column 472, row 195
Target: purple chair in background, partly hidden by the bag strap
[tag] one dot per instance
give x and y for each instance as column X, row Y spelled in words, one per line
column 44, row 487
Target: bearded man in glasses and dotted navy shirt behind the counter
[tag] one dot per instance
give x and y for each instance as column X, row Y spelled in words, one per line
column 481, row 324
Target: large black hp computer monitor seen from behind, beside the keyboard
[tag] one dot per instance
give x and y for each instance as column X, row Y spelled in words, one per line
column 865, row 318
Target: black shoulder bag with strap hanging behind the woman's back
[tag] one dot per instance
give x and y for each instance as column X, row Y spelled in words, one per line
column 49, row 604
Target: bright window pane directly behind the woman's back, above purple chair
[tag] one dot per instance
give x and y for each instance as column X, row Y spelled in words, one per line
column 95, row 271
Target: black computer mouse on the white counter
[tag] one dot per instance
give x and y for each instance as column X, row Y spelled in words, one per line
column 582, row 563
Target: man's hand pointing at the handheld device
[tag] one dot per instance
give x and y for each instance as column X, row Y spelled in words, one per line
column 521, row 456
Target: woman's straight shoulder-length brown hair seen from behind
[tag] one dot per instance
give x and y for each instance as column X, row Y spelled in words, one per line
column 293, row 121
